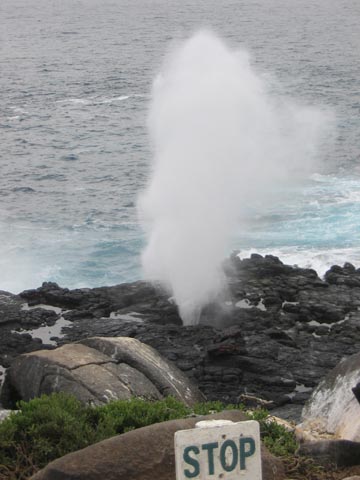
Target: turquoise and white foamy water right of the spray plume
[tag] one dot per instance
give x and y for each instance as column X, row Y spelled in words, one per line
column 317, row 227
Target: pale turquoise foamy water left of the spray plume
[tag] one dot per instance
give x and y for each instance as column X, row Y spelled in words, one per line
column 55, row 254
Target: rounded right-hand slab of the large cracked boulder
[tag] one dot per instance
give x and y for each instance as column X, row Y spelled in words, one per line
column 167, row 378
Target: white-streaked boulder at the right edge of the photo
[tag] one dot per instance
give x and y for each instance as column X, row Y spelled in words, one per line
column 333, row 409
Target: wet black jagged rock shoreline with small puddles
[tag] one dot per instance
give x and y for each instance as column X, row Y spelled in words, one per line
column 275, row 334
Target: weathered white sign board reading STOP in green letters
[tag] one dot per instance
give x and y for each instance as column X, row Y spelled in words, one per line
column 226, row 452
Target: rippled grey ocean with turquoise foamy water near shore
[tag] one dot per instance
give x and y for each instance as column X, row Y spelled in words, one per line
column 75, row 86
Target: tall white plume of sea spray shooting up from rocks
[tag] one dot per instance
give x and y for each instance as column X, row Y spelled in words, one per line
column 220, row 142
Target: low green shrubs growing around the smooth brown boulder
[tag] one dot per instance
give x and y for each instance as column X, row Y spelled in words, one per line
column 51, row 426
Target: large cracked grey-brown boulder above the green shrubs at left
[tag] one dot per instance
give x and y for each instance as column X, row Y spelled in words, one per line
column 97, row 377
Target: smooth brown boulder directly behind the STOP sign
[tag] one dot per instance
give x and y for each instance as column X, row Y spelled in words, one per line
column 143, row 454
